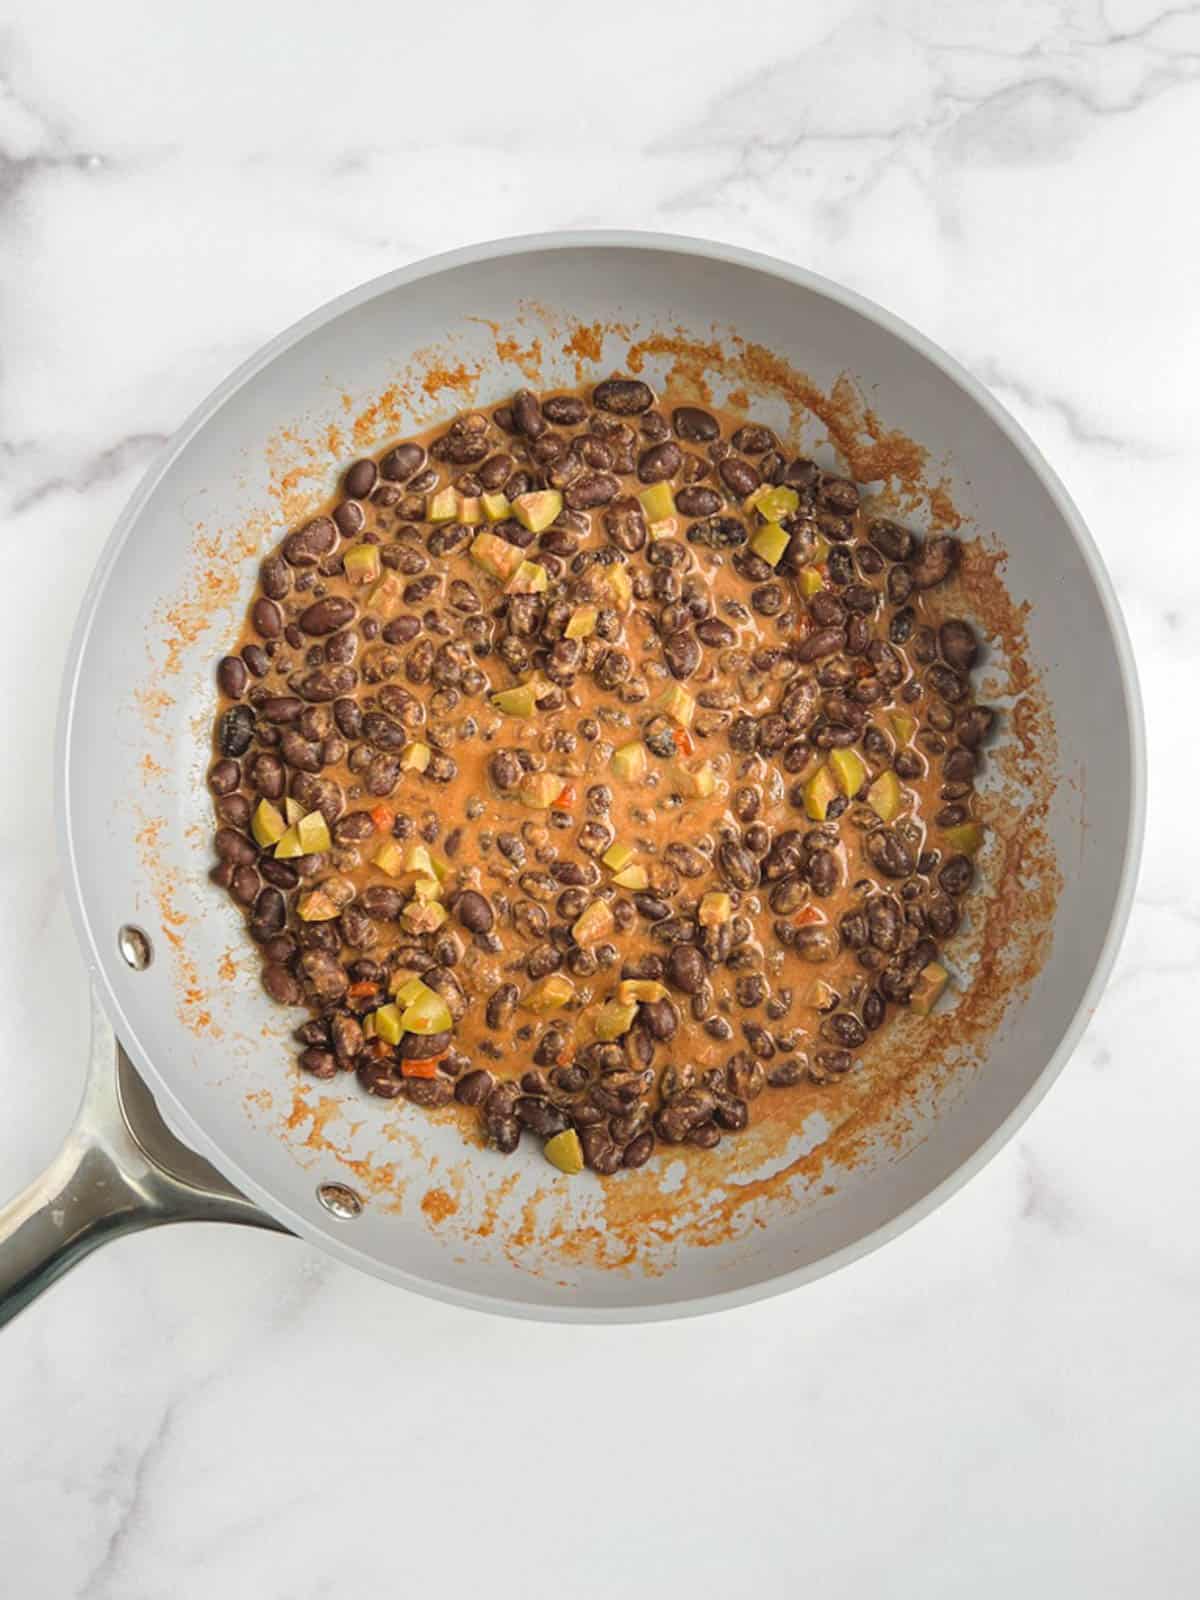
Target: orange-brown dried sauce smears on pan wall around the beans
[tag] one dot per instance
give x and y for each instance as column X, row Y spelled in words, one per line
column 639, row 1222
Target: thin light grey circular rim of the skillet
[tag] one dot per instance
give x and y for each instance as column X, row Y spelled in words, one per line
column 1135, row 823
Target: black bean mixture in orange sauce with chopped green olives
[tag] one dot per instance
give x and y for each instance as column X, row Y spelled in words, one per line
column 599, row 764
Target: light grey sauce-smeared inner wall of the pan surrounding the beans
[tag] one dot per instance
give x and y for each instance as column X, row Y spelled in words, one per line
column 444, row 1217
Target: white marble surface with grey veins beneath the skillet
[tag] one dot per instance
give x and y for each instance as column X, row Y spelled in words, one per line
column 1007, row 1401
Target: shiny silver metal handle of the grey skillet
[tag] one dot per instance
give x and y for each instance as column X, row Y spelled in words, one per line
column 119, row 1170
